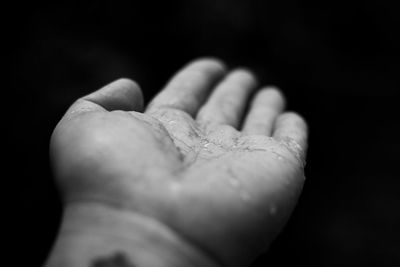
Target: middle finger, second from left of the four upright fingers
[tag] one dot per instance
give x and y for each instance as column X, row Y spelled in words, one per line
column 227, row 103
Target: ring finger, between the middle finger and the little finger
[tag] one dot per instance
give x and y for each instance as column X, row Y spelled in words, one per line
column 266, row 105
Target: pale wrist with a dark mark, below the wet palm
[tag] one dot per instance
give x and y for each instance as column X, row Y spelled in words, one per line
column 94, row 235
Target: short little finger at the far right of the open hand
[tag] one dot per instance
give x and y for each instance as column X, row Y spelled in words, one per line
column 291, row 129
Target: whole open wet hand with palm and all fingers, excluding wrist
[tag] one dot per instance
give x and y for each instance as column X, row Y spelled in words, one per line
column 212, row 157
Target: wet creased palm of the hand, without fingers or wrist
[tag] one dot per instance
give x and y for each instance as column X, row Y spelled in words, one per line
column 211, row 183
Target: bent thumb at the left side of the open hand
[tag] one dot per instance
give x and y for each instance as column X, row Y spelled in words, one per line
column 122, row 94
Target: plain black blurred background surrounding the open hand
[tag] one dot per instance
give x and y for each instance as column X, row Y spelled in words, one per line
column 338, row 64
